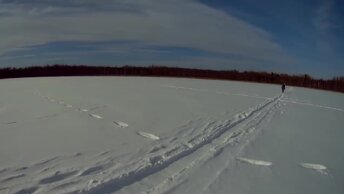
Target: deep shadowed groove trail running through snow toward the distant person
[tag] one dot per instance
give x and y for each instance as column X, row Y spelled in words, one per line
column 154, row 163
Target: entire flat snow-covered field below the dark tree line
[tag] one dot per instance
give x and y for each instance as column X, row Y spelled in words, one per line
column 164, row 135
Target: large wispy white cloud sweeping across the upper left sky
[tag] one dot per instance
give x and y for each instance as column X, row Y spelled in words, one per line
column 181, row 23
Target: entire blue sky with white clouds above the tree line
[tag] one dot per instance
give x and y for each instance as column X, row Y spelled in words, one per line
column 294, row 36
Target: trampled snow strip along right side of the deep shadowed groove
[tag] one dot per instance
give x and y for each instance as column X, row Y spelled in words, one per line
column 241, row 133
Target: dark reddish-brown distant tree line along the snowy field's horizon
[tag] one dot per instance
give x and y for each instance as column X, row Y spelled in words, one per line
column 335, row 84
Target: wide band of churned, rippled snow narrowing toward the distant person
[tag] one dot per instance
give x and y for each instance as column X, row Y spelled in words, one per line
column 106, row 174
